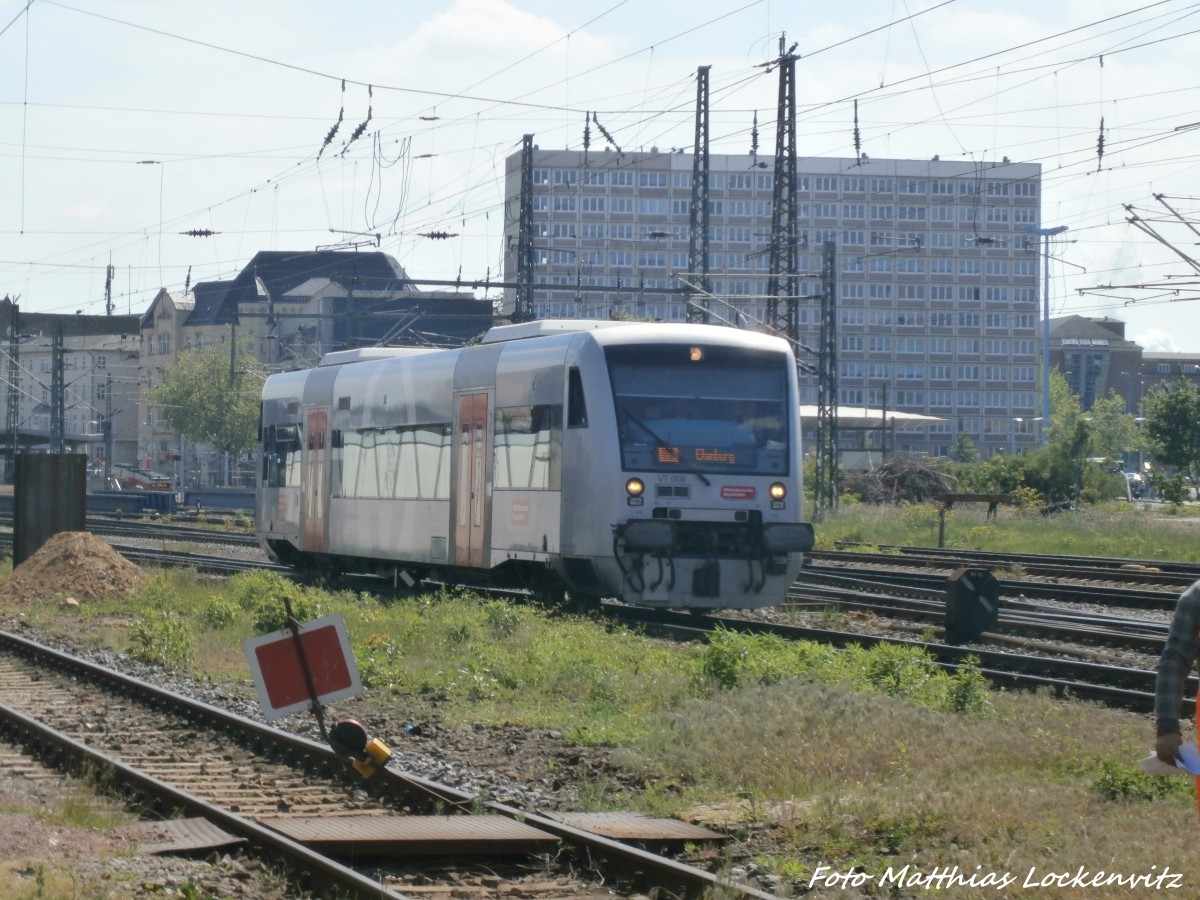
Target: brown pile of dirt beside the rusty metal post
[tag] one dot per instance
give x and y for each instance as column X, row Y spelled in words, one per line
column 74, row 565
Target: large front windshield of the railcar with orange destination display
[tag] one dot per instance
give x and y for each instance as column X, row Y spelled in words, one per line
column 701, row 409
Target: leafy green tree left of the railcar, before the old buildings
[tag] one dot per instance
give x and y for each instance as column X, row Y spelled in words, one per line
column 209, row 398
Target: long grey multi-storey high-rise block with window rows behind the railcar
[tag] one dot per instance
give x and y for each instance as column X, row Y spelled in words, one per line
column 938, row 271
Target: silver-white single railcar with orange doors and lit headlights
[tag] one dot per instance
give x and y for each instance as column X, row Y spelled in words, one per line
column 650, row 463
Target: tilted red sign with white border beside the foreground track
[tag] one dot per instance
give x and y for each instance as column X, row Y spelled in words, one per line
column 280, row 679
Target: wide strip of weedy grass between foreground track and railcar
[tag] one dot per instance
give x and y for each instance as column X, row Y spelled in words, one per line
column 856, row 760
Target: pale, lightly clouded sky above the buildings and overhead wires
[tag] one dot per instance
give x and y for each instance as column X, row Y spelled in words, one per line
column 173, row 141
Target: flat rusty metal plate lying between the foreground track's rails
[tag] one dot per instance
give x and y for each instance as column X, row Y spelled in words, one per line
column 413, row 836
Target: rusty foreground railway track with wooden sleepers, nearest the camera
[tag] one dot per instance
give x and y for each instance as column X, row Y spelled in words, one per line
column 297, row 801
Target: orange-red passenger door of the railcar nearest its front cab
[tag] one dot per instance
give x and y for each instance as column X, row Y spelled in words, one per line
column 472, row 481
